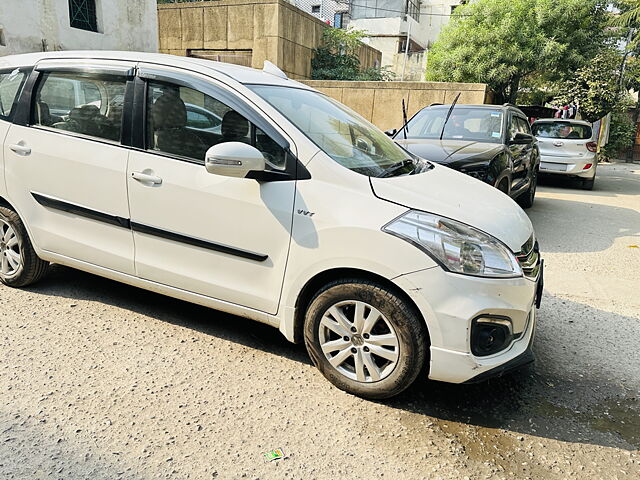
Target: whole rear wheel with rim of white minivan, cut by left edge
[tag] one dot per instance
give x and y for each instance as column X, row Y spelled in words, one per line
column 19, row 264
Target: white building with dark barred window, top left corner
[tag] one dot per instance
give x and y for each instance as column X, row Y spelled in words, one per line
column 41, row 25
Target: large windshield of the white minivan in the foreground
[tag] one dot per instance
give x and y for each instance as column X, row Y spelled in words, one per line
column 345, row 136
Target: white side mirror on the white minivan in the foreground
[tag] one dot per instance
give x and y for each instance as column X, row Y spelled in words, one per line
column 234, row 159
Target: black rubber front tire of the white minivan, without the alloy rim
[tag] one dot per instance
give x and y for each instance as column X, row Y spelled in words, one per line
column 409, row 327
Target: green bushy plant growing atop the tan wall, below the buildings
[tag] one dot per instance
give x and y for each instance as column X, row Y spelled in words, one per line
column 337, row 57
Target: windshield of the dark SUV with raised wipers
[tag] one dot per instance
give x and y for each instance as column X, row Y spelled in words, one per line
column 465, row 123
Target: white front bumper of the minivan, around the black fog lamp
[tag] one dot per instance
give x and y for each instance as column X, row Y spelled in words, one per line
column 449, row 302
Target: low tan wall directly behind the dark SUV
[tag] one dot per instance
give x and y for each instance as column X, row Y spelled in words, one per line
column 381, row 102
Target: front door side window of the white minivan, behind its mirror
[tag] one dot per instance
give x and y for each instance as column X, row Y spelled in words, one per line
column 184, row 122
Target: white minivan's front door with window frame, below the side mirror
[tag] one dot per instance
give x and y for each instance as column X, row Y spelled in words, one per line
column 222, row 237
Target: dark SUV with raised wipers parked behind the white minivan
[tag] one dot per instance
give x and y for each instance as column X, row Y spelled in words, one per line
column 489, row 142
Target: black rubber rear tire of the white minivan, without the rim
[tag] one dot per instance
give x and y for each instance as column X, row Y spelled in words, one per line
column 31, row 268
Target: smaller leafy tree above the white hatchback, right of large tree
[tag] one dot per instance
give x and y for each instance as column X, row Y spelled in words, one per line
column 595, row 87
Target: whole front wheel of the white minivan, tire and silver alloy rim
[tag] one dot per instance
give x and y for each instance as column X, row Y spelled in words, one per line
column 365, row 338
